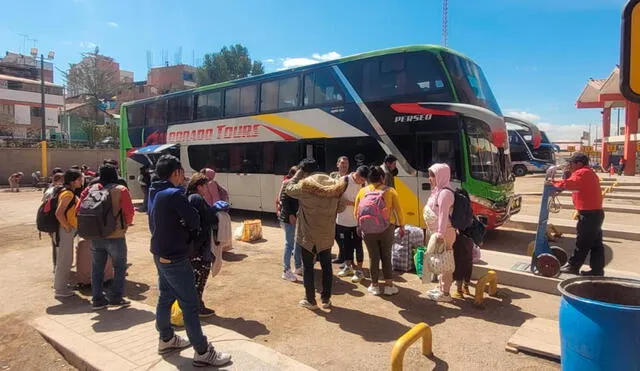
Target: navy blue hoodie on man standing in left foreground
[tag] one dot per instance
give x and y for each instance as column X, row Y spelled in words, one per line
column 172, row 221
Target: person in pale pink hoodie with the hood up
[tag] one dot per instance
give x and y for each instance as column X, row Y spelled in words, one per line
column 437, row 218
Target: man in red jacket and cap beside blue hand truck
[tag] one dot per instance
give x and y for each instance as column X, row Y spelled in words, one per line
column 587, row 199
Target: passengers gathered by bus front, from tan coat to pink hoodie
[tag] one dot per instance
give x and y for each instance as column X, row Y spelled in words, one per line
column 316, row 209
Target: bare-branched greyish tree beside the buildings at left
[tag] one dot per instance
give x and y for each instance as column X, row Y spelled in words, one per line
column 96, row 78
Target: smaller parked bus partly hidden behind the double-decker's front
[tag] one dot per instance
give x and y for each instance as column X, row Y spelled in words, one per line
column 529, row 152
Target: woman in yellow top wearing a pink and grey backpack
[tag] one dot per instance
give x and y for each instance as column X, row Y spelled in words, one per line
column 378, row 212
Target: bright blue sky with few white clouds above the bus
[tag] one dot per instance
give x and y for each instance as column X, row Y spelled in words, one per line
column 536, row 54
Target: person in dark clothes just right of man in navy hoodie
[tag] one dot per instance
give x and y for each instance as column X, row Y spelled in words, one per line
column 202, row 257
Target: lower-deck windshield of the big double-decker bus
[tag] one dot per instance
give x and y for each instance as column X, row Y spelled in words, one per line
column 486, row 161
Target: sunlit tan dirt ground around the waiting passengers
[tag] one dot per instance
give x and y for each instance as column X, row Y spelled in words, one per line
column 250, row 298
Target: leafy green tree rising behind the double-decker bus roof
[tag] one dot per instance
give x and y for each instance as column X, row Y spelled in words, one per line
column 231, row 63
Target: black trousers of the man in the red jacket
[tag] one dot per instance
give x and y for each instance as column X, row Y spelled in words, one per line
column 589, row 240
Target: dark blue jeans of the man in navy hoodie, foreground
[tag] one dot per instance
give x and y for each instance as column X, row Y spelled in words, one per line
column 176, row 282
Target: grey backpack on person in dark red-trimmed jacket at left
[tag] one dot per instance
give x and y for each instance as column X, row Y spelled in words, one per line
column 95, row 215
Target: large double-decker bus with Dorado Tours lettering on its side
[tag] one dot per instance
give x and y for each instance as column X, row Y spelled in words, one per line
column 424, row 104
